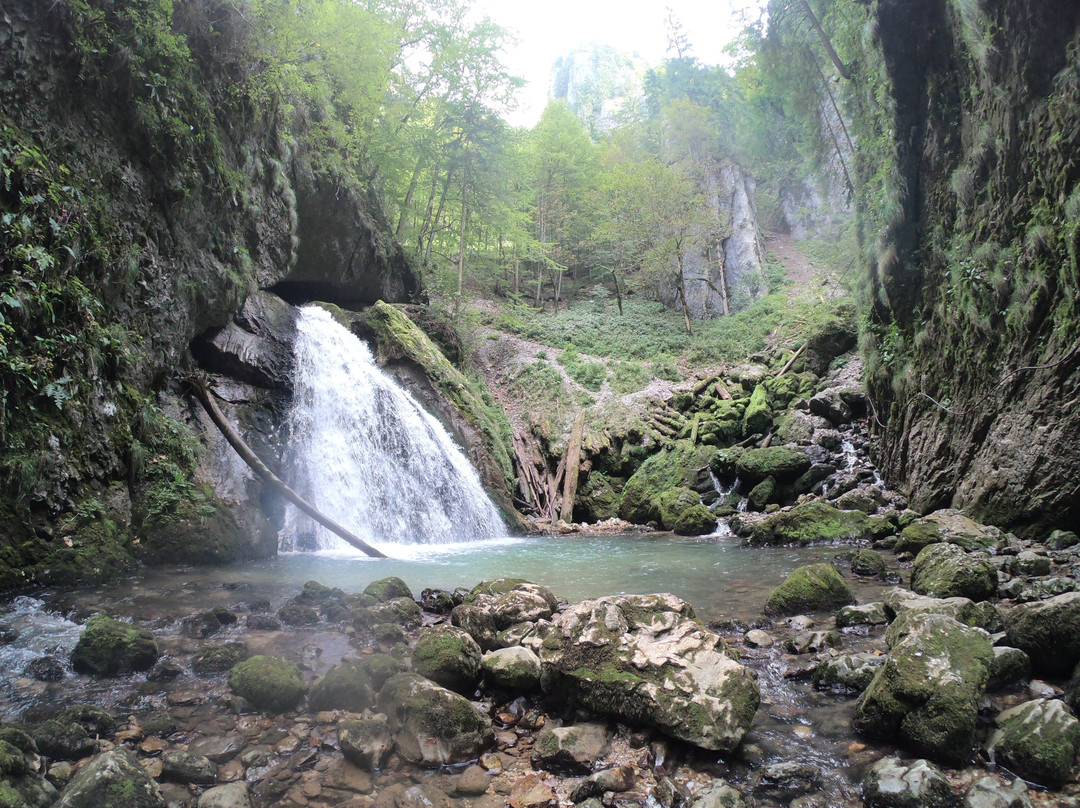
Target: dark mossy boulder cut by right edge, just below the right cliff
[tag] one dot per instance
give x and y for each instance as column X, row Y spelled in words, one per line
column 1049, row 632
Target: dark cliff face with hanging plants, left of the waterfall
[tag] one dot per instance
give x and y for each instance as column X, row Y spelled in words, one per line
column 151, row 182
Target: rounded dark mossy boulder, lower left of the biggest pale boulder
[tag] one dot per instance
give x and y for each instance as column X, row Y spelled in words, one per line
column 434, row 726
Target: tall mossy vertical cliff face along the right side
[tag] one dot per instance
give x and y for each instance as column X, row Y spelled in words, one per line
column 975, row 338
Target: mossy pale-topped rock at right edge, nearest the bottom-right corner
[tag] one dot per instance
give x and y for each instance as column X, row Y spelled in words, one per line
column 1038, row 740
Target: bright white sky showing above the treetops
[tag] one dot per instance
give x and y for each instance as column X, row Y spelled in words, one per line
column 547, row 30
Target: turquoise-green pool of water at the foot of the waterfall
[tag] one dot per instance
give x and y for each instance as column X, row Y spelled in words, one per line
column 720, row 576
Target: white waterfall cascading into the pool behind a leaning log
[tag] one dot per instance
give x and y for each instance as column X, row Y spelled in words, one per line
column 364, row 453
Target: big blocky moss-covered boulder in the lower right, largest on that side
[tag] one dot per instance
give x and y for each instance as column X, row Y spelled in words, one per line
column 926, row 696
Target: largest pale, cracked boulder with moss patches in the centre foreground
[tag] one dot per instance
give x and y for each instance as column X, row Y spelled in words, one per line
column 646, row 659
